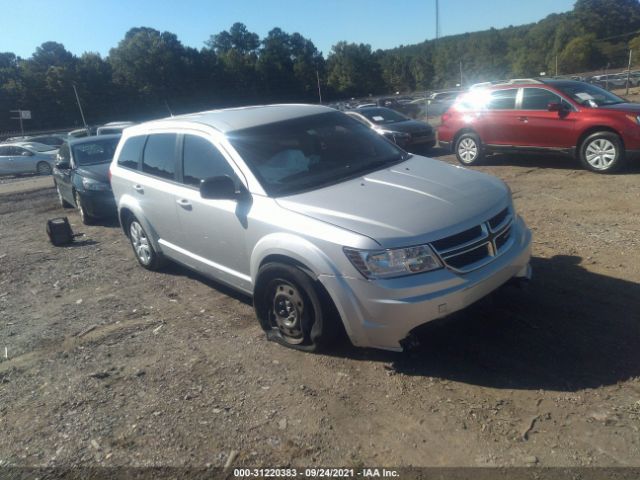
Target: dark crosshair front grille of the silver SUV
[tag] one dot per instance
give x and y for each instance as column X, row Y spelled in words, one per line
column 475, row 247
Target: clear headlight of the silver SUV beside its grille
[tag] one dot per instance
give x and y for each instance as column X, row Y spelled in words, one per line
column 395, row 262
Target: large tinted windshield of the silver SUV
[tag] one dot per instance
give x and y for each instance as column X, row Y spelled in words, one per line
column 310, row 152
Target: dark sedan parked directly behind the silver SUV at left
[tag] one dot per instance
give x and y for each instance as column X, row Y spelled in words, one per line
column 81, row 176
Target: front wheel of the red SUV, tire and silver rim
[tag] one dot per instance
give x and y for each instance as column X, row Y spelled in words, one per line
column 602, row 152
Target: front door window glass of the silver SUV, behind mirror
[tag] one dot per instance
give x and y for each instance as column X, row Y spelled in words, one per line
column 202, row 160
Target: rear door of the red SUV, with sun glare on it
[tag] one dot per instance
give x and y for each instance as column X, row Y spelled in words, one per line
column 499, row 118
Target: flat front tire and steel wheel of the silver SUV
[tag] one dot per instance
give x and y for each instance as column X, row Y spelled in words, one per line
column 292, row 310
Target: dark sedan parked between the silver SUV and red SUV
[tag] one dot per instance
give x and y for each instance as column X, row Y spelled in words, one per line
column 403, row 131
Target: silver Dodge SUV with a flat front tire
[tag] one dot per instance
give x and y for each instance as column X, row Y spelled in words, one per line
column 324, row 222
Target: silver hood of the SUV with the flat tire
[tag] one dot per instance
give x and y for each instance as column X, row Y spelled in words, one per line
column 413, row 202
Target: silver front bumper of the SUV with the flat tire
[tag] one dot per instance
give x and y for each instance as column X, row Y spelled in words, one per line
column 381, row 313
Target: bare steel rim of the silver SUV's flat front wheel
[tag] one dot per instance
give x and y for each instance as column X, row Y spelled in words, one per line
column 287, row 310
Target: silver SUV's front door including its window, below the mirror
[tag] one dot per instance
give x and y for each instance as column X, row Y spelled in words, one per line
column 213, row 231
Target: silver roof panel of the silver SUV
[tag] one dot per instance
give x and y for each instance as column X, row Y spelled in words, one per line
column 232, row 119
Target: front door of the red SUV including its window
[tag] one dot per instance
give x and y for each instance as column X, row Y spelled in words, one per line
column 538, row 127
